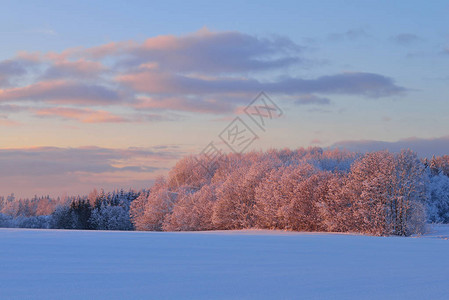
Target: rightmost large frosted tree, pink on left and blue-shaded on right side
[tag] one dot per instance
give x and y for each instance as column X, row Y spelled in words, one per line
column 388, row 193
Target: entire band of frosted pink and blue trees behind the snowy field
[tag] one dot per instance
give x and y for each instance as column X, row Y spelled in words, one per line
column 378, row 193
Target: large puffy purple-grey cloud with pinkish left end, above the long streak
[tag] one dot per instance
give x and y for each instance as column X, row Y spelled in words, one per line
column 207, row 52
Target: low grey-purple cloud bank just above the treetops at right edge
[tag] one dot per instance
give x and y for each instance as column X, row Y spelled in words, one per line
column 424, row 147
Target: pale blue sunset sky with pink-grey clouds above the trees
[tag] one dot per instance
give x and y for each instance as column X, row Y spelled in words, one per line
column 110, row 94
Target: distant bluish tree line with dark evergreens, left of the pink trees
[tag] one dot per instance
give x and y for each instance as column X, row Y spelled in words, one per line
column 97, row 211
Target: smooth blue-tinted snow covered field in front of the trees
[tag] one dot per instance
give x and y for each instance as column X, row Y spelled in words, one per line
column 58, row 264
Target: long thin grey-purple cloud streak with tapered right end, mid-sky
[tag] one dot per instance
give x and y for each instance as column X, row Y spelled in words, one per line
column 355, row 83
